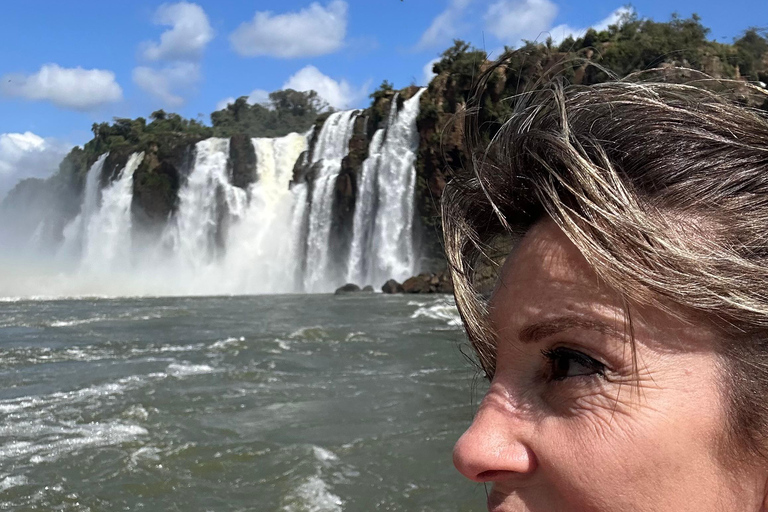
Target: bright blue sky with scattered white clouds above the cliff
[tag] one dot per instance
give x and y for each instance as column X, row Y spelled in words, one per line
column 66, row 65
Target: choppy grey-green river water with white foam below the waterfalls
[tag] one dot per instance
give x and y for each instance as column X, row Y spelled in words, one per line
column 276, row 403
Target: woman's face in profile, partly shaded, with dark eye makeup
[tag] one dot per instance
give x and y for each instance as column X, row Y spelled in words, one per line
column 569, row 425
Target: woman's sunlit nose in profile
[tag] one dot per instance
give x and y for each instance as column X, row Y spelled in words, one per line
column 493, row 449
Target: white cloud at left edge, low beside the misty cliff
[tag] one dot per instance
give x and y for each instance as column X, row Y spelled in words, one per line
column 27, row 155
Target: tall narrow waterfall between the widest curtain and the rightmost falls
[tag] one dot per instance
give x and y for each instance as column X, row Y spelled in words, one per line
column 331, row 147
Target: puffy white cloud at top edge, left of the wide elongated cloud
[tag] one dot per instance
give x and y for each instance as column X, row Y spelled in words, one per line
column 188, row 36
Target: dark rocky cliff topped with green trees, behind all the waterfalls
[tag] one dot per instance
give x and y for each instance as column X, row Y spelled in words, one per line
column 168, row 140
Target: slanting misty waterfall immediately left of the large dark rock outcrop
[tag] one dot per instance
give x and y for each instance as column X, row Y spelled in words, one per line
column 107, row 236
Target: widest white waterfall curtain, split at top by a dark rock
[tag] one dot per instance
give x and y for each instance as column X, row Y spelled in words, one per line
column 227, row 240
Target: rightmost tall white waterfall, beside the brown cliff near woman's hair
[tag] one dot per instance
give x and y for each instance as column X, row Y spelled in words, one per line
column 382, row 242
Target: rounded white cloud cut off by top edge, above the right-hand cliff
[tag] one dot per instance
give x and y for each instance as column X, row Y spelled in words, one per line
column 511, row 21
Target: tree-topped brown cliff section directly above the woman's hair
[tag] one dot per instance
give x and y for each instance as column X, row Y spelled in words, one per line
column 631, row 45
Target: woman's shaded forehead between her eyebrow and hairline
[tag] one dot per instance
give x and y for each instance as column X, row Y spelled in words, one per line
column 546, row 279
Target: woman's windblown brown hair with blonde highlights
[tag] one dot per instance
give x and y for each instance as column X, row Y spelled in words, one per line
column 661, row 185
